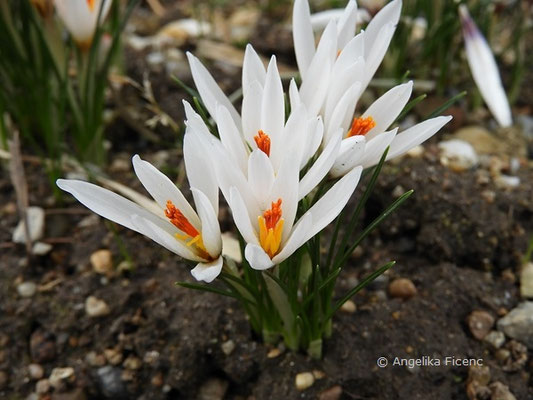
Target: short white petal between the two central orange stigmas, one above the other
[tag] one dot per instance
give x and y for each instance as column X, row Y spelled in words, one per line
column 260, row 177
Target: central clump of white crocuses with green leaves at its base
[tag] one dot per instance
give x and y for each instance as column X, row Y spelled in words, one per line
column 285, row 175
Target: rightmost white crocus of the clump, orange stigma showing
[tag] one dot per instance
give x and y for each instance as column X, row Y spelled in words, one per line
column 365, row 138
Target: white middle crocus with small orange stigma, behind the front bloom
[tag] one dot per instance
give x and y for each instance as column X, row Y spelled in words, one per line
column 262, row 125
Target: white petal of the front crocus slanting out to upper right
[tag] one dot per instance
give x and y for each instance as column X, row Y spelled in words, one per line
column 329, row 206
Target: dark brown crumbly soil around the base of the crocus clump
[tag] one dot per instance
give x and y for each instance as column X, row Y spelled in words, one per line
column 177, row 334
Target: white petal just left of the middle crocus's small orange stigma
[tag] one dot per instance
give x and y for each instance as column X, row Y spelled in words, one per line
column 231, row 138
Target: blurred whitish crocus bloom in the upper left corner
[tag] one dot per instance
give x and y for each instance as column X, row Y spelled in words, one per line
column 81, row 17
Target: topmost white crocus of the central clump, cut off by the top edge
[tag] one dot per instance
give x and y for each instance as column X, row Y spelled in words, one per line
column 322, row 76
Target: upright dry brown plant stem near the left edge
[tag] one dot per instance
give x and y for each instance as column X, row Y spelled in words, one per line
column 16, row 172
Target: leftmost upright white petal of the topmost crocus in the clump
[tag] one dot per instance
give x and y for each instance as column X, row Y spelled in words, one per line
column 304, row 39
